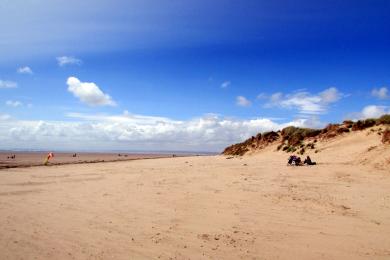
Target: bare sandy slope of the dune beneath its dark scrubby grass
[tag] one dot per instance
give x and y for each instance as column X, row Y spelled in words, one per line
column 356, row 148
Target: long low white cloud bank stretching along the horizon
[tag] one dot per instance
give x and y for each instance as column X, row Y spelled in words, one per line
column 134, row 132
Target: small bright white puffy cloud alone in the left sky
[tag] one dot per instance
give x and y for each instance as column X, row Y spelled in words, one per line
column 88, row 93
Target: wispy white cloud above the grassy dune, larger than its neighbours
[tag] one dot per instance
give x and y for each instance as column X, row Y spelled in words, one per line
column 305, row 102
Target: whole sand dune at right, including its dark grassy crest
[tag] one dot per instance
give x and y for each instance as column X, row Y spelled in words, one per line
column 359, row 143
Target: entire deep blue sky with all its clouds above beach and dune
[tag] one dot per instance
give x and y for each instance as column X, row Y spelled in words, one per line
column 185, row 75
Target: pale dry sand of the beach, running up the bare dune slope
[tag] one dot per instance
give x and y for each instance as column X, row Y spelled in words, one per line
column 253, row 207
